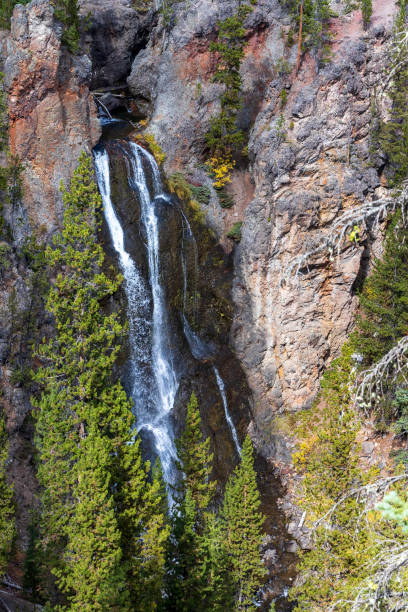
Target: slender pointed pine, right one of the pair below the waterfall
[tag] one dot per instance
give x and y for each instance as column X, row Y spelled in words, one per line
column 242, row 530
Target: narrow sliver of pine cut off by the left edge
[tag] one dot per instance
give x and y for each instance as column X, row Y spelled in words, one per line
column 7, row 525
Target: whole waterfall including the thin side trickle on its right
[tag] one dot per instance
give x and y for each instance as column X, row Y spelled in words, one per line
column 154, row 360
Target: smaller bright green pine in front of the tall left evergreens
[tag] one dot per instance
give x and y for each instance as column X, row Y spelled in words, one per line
column 93, row 575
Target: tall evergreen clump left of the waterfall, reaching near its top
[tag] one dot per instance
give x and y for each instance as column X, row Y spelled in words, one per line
column 90, row 469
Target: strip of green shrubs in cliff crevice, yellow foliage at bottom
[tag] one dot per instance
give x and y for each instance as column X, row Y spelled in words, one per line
column 224, row 137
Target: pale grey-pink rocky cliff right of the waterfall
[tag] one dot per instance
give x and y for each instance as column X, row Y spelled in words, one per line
column 308, row 162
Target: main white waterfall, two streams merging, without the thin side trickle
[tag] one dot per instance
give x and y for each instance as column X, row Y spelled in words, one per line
column 154, row 377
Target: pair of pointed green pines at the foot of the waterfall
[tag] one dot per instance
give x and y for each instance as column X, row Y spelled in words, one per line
column 214, row 558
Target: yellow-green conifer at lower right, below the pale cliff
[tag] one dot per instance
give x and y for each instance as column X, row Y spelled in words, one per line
column 328, row 458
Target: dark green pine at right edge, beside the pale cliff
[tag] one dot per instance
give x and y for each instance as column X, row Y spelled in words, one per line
column 384, row 299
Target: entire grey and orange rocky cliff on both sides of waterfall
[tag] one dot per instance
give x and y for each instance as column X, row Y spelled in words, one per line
column 309, row 160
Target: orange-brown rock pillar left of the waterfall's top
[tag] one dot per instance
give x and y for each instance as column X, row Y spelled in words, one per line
column 52, row 114
